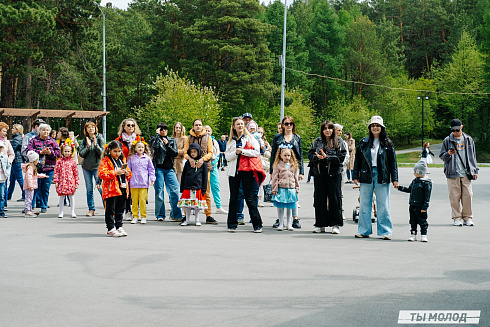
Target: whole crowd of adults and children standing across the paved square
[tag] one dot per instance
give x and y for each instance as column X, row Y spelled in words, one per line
column 188, row 165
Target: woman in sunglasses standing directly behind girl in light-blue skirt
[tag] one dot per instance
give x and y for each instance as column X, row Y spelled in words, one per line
column 289, row 137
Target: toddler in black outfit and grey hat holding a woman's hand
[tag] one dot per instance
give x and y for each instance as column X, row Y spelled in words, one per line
column 419, row 190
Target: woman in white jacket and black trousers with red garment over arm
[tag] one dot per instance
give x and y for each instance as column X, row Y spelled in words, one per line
column 245, row 167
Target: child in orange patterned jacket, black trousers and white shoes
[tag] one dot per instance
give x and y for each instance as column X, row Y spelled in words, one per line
column 115, row 175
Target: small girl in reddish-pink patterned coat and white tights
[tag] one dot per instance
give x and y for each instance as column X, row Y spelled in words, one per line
column 66, row 179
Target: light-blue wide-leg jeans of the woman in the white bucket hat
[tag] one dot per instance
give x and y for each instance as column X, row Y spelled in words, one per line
column 385, row 226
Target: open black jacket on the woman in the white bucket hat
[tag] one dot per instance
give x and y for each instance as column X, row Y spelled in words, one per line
column 386, row 163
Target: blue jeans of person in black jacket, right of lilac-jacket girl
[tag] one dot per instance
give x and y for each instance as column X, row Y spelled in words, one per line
column 169, row 178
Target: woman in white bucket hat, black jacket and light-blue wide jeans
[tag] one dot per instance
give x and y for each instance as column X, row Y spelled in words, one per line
column 374, row 168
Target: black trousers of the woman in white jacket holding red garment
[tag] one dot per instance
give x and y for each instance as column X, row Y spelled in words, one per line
column 247, row 180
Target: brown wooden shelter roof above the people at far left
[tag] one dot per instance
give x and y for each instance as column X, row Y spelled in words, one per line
column 29, row 115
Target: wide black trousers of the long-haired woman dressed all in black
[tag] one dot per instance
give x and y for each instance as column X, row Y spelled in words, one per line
column 328, row 200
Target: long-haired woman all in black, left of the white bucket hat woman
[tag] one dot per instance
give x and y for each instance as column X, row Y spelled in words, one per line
column 327, row 153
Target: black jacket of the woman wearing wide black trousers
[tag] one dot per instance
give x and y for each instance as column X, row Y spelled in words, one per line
column 332, row 164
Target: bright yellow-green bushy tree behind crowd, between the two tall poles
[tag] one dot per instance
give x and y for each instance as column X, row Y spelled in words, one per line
column 178, row 99
